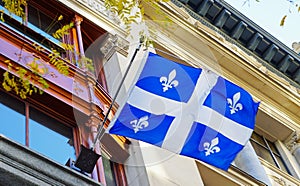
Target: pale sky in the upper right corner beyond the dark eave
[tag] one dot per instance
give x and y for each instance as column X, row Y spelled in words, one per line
column 268, row 14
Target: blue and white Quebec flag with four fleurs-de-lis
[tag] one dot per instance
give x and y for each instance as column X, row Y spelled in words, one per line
column 189, row 111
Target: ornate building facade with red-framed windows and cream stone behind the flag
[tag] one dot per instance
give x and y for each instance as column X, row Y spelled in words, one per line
column 41, row 136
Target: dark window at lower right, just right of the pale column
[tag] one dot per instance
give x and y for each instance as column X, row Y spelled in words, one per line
column 267, row 151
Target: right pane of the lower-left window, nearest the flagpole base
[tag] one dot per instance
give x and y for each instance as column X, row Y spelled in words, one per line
column 50, row 137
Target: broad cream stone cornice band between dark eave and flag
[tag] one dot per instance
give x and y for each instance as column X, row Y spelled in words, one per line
column 280, row 96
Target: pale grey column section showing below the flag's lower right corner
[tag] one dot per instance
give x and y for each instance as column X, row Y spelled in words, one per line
column 248, row 162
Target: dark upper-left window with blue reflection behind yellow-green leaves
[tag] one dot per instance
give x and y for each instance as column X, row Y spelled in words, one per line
column 41, row 21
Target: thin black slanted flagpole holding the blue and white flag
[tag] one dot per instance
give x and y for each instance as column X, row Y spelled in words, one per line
column 100, row 128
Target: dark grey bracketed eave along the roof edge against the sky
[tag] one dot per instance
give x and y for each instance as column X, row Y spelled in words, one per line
column 238, row 29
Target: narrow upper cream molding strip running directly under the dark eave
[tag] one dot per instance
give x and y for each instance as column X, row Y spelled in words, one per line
column 215, row 38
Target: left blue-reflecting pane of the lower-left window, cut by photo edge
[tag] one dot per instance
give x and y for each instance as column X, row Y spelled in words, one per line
column 12, row 115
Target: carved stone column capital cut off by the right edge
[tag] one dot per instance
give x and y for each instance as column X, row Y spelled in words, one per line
column 293, row 144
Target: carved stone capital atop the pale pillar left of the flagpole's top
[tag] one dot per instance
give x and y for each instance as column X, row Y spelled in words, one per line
column 112, row 44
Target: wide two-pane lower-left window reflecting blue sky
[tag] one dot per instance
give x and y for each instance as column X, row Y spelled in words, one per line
column 36, row 130
